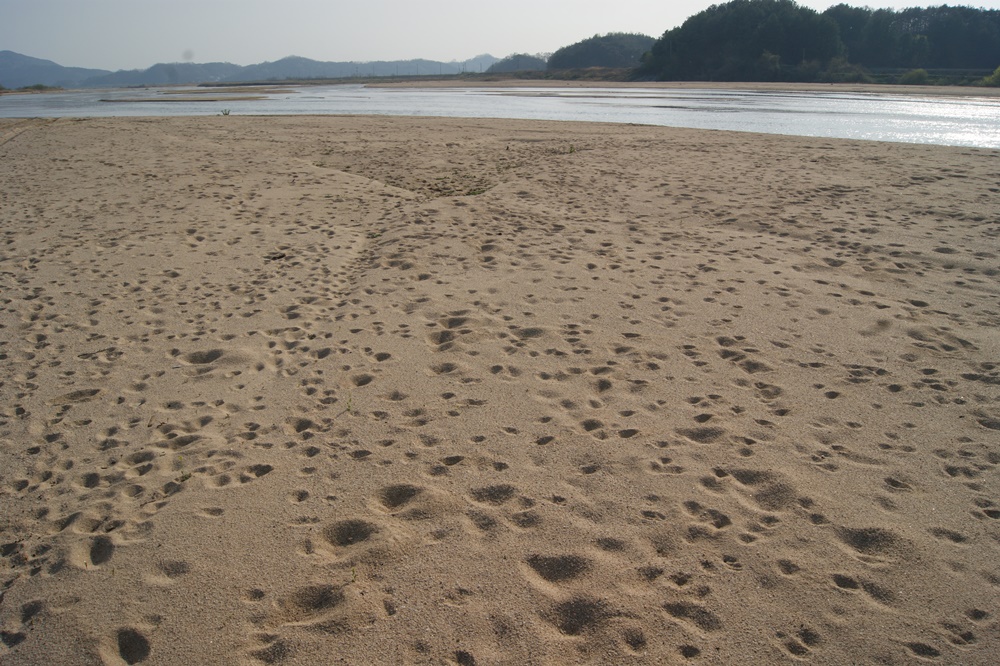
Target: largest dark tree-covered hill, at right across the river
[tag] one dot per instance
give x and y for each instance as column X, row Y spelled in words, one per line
column 765, row 40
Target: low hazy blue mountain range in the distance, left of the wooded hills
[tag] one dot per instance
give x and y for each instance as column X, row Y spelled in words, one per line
column 17, row 71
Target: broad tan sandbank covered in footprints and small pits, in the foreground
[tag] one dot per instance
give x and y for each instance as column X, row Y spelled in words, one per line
column 307, row 390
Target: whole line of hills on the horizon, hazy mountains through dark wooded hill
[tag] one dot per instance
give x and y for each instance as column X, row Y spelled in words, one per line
column 741, row 40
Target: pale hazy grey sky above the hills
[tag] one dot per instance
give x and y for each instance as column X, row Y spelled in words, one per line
column 134, row 34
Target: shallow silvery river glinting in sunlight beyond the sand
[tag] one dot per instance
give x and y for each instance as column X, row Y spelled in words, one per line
column 965, row 121
